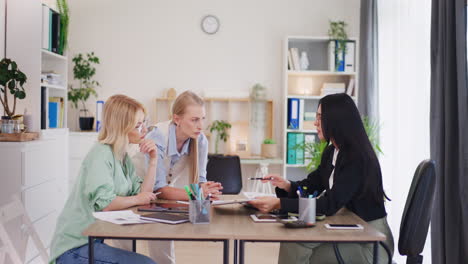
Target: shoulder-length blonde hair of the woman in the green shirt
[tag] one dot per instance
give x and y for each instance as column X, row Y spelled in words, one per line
column 118, row 119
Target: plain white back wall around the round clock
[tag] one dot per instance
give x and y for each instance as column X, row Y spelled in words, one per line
column 155, row 45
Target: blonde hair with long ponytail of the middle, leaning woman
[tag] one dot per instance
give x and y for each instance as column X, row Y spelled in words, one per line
column 178, row 108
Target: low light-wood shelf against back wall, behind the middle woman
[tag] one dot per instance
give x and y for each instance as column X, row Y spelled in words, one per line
column 236, row 111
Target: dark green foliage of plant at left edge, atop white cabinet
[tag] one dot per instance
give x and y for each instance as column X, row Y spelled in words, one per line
column 12, row 80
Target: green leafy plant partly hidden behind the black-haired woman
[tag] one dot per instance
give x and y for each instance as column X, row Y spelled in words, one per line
column 315, row 149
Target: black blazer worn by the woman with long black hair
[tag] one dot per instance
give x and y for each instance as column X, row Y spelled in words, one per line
column 346, row 192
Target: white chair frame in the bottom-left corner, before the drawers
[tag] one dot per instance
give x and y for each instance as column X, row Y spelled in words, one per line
column 8, row 213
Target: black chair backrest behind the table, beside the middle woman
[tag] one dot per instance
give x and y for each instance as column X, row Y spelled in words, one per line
column 227, row 171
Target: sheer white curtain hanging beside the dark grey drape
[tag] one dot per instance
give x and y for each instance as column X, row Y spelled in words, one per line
column 404, row 100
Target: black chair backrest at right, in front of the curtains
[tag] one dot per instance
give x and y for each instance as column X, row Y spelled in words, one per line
column 418, row 210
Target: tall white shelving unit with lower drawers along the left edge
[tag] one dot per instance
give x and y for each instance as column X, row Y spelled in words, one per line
column 36, row 171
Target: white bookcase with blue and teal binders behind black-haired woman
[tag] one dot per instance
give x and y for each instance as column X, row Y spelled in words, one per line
column 304, row 85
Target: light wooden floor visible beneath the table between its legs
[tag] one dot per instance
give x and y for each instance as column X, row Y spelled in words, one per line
column 212, row 253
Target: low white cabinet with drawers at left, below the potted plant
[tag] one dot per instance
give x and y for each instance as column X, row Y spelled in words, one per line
column 36, row 171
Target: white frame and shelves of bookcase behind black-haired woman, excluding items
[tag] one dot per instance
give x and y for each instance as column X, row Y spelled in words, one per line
column 306, row 85
